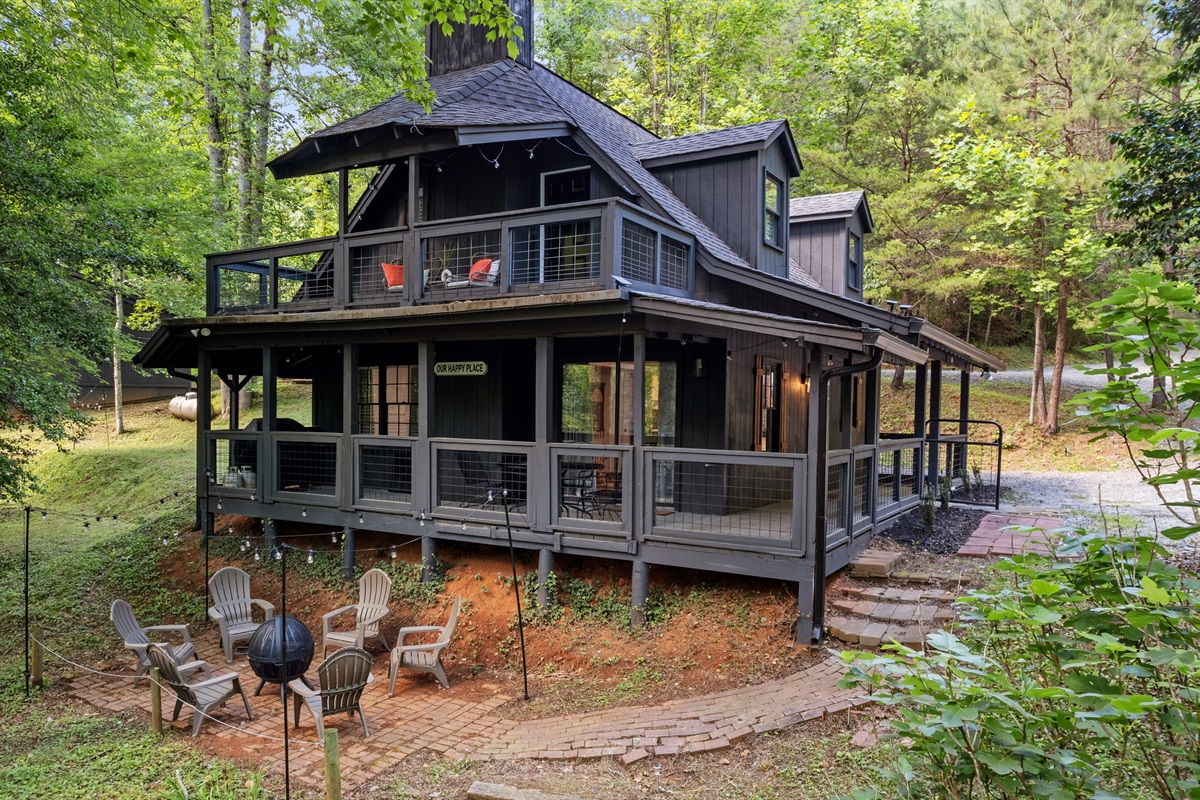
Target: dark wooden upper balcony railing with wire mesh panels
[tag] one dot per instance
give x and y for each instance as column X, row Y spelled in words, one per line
column 574, row 248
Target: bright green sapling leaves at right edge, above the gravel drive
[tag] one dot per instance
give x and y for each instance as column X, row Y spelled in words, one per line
column 1155, row 335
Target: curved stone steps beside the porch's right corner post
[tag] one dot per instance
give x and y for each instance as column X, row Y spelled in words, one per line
column 874, row 616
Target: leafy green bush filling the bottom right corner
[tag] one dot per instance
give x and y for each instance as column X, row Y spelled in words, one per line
column 1077, row 681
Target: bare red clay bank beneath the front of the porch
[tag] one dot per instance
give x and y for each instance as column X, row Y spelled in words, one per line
column 719, row 631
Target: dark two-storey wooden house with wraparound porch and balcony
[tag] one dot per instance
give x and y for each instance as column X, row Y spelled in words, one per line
column 538, row 312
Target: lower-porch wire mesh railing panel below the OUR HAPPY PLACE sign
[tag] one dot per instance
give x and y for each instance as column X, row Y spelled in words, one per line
column 476, row 479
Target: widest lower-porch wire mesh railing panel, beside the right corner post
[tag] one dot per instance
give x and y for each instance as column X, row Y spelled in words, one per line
column 724, row 500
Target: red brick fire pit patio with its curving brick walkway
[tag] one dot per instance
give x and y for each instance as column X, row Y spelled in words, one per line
column 424, row 718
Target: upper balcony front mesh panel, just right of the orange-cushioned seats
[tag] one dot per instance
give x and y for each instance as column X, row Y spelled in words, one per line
column 556, row 252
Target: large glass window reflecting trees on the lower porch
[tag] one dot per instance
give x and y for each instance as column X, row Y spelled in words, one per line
column 593, row 414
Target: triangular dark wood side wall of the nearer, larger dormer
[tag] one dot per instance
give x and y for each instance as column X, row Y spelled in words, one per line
column 727, row 195
